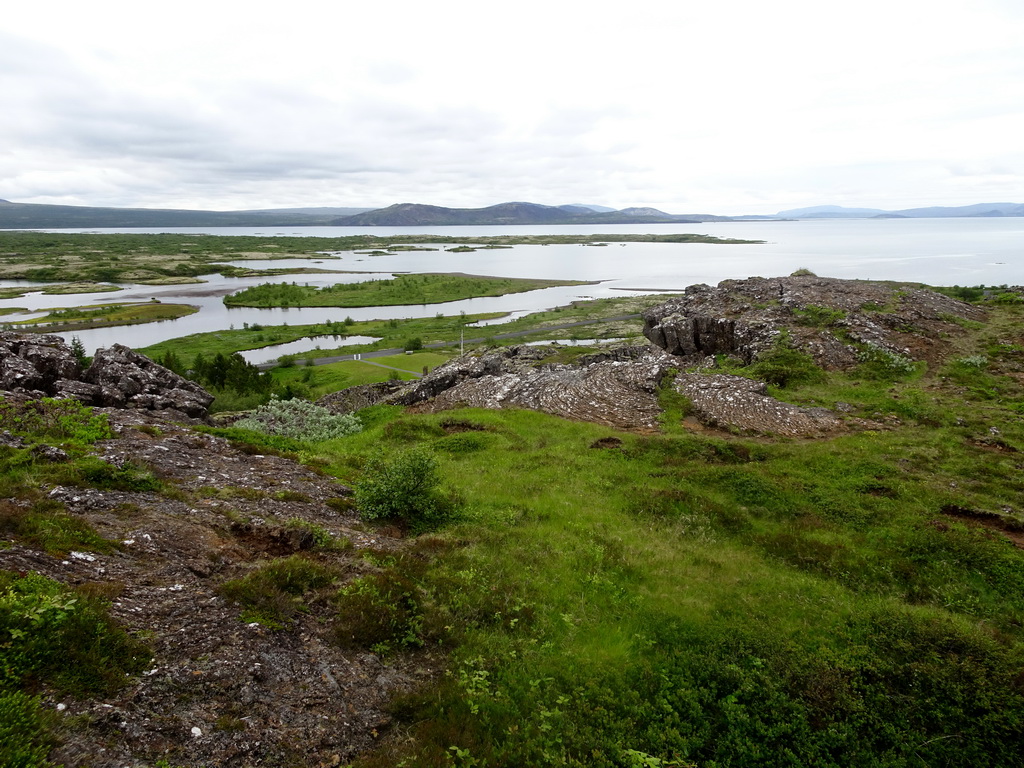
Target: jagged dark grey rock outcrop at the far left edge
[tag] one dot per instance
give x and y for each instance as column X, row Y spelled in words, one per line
column 118, row 377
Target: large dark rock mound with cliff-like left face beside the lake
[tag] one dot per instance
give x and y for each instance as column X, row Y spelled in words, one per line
column 826, row 318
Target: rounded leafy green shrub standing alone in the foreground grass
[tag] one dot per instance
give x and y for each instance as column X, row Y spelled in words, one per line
column 404, row 489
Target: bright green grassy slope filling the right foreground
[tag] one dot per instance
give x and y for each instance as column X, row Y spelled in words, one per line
column 697, row 600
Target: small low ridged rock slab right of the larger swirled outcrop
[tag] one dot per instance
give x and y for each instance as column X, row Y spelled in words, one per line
column 740, row 404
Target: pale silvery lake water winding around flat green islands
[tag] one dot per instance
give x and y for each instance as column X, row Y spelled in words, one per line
column 944, row 252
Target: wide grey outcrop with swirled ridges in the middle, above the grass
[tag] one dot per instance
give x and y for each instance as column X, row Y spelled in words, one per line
column 617, row 390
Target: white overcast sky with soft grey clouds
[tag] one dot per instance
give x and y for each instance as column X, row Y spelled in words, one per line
column 726, row 107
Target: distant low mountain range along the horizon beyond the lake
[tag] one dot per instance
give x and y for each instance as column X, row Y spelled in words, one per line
column 35, row 217
